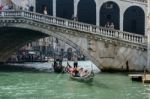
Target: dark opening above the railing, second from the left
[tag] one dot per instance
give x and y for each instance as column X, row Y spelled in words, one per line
column 64, row 8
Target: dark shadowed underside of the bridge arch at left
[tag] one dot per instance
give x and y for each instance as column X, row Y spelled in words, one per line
column 16, row 38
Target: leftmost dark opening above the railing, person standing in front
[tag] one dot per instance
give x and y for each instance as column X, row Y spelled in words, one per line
column 40, row 4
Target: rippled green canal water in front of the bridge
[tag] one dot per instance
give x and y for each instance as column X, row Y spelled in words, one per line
column 23, row 85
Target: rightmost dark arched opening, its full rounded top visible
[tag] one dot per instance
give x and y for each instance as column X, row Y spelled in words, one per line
column 134, row 20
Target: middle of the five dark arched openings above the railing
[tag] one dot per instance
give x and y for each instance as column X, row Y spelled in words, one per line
column 87, row 11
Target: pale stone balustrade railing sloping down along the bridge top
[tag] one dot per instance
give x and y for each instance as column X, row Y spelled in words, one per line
column 106, row 32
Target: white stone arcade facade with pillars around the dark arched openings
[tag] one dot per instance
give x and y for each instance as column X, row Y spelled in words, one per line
column 122, row 4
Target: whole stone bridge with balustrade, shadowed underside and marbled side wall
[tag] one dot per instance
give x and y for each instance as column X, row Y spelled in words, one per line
column 107, row 48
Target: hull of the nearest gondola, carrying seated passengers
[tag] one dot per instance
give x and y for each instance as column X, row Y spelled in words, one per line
column 88, row 78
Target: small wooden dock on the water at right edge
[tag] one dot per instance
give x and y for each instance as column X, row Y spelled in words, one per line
column 145, row 78
